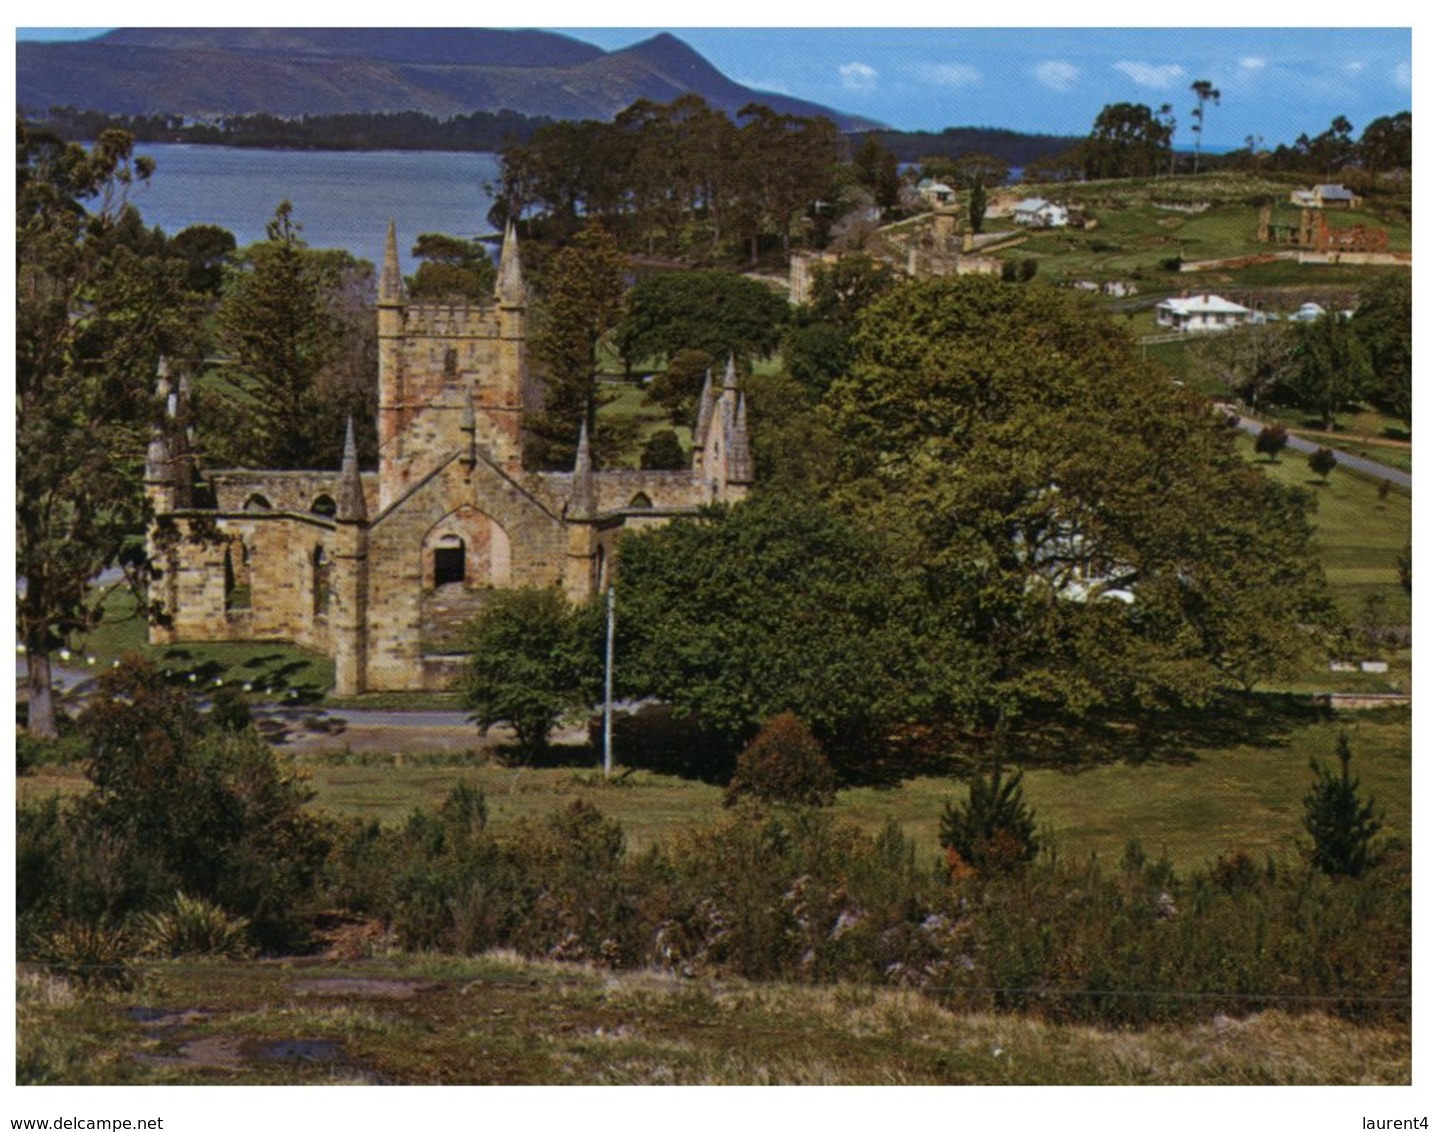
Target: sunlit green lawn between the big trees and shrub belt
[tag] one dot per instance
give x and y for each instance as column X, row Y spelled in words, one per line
column 1245, row 795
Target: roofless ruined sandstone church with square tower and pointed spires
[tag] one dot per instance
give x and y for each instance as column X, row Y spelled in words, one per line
column 383, row 569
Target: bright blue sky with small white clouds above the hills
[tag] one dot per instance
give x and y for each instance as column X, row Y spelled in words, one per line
column 1274, row 83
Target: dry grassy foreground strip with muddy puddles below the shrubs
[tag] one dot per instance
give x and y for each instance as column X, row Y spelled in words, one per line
column 503, row 1021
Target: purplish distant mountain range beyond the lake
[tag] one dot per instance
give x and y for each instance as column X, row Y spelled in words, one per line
column 211, row 73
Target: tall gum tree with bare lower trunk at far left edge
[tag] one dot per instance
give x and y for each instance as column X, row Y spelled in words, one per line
column 96, row 313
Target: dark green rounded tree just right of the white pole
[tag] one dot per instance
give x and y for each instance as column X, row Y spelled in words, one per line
column 781, row 605
